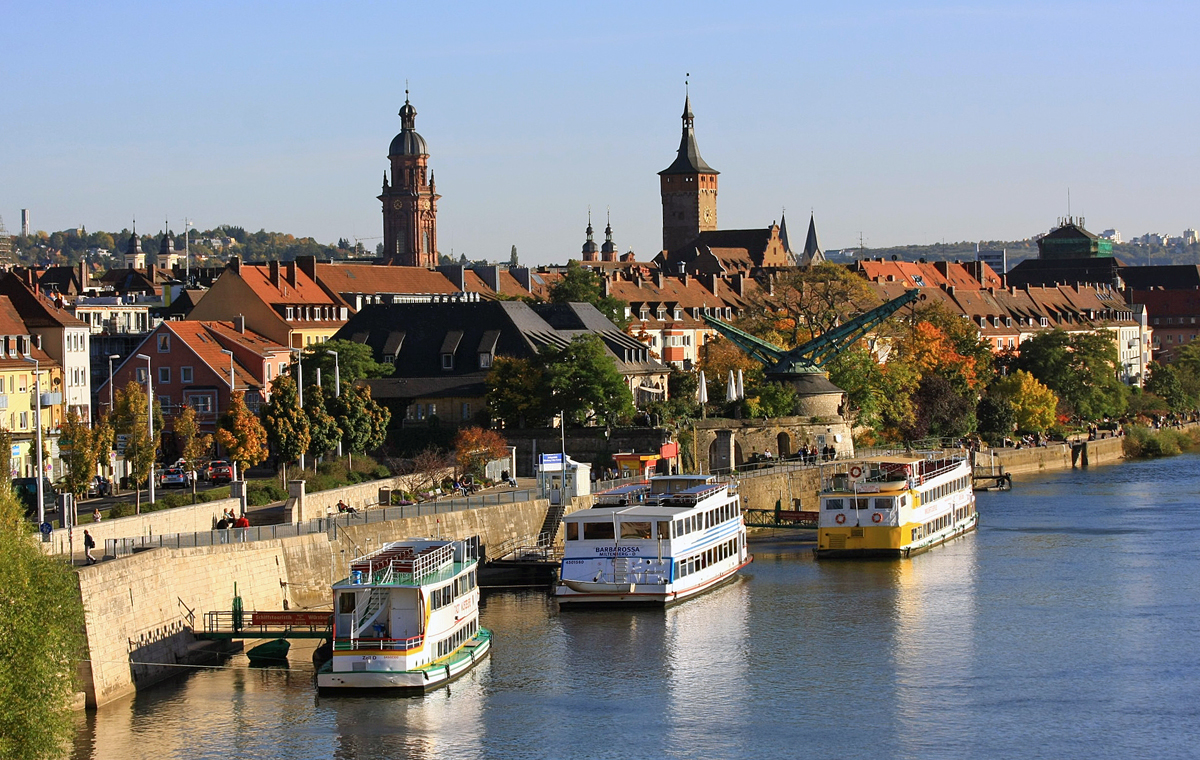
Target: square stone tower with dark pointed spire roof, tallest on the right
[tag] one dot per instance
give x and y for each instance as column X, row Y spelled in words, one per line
column 689, row 192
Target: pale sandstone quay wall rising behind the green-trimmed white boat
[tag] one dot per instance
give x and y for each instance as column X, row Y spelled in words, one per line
column 141, row 611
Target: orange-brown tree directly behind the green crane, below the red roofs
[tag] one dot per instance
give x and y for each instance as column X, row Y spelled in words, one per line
column 805, row 303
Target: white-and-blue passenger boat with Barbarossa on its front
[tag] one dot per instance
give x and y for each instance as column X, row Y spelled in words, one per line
column 658, row 542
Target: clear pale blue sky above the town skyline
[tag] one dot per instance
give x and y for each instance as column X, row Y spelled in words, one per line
column 895, row 123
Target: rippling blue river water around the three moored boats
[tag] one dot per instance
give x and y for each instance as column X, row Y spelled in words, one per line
column 1066, row 627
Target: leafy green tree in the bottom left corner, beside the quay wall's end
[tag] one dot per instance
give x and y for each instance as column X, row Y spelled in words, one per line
column 41, row 641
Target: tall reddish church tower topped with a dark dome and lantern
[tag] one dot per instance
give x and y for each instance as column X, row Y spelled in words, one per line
column 411, row 200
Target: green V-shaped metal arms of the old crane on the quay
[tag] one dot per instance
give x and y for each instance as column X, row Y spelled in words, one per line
column 813, row 356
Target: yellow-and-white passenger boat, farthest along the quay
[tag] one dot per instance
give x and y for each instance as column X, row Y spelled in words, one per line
column 895, row 506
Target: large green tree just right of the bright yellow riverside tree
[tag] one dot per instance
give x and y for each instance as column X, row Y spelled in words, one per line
column 1081, row 368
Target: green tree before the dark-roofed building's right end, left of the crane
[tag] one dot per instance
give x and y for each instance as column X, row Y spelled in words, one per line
column 584, row 381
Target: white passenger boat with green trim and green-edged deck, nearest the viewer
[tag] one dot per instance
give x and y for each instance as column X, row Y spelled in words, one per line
column 407, row 619
